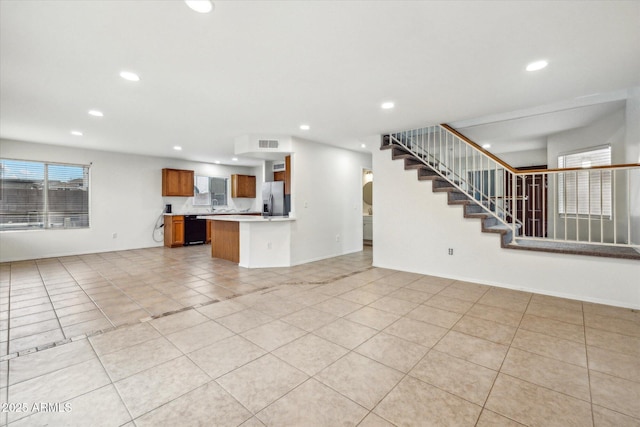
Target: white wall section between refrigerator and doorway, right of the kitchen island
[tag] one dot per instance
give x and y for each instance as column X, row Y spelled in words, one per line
column 326, row 200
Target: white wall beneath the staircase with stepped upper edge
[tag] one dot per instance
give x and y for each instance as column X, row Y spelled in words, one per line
column 414, row 227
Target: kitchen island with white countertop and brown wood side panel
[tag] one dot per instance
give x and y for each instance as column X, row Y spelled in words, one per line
column 251, row 241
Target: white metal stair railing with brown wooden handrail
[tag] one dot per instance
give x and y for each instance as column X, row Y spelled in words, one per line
column 599, row 205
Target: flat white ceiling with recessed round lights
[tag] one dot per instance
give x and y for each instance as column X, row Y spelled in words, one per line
column 265, row 67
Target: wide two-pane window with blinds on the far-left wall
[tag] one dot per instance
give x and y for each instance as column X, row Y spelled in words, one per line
column 43, row 195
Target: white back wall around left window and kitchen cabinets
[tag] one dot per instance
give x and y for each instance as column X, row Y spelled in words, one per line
column 125, row 199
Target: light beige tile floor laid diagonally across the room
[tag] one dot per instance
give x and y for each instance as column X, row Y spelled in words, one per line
column 86, row 340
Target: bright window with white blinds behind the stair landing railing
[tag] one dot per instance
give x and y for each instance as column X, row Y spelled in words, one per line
column 585, row 192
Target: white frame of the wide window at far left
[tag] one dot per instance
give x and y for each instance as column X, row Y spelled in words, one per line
column 46, row 212
